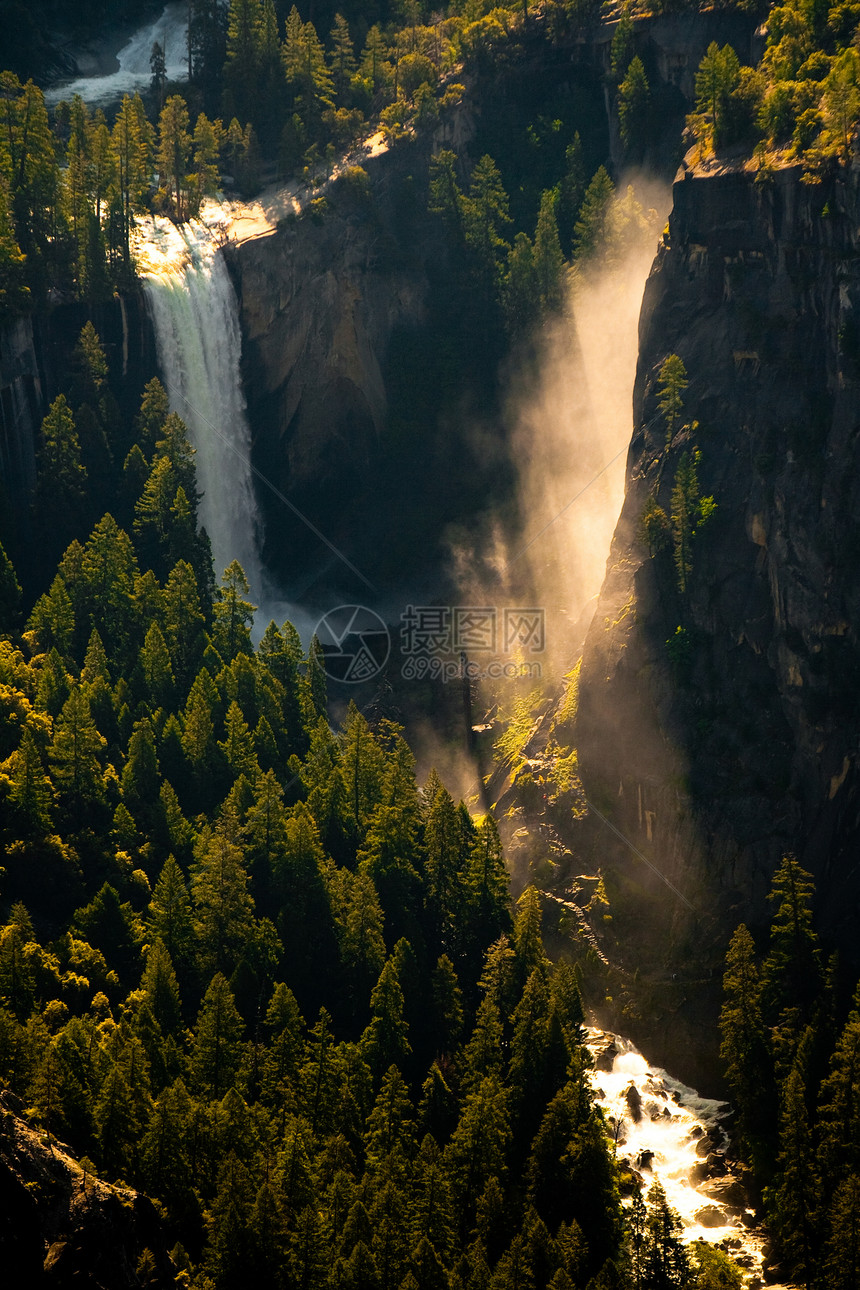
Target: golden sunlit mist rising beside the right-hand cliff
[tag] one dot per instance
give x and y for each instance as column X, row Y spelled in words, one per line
column 569, row 422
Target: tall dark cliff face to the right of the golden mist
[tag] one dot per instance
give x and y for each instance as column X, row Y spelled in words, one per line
column 738, row 741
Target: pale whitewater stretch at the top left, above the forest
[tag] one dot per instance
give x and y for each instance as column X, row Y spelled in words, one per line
column 171, row 30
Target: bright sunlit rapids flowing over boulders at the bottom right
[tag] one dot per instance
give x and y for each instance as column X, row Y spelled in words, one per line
column 670, row 1135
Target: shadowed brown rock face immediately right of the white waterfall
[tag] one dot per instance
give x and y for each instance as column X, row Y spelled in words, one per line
column 320, row 301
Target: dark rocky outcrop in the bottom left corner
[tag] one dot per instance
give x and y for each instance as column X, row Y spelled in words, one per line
column 61, row 1227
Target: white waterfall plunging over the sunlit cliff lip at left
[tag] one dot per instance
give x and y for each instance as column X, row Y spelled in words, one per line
column 195, row 315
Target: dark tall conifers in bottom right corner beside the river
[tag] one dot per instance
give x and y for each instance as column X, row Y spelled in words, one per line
column 795, row 1080
